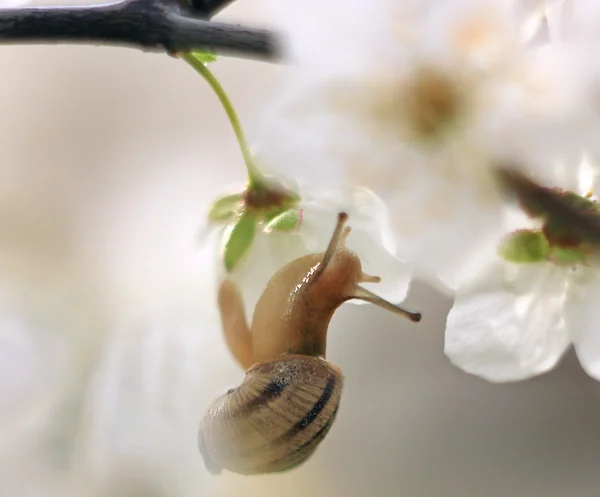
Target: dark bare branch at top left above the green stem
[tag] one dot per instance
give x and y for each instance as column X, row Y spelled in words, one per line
column 152, row 25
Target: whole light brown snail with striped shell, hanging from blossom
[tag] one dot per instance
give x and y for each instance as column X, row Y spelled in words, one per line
column 290, row 396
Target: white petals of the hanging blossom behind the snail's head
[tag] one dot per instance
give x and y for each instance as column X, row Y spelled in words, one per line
column 370, row 238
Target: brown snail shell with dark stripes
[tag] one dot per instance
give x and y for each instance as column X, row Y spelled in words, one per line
column 275, row 419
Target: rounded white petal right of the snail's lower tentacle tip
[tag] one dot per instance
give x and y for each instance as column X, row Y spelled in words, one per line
column 509, row 325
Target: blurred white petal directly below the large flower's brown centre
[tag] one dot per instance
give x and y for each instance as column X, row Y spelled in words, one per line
column 443, row 216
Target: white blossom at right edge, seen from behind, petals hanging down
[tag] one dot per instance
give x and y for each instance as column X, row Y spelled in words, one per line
column 516, row 320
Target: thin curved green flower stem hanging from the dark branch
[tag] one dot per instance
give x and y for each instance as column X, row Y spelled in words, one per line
column 255, row 177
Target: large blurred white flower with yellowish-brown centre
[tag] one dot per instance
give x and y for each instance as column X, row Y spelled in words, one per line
column 418, row 105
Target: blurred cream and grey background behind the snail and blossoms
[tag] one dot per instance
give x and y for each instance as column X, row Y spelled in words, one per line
column 110, row 348
